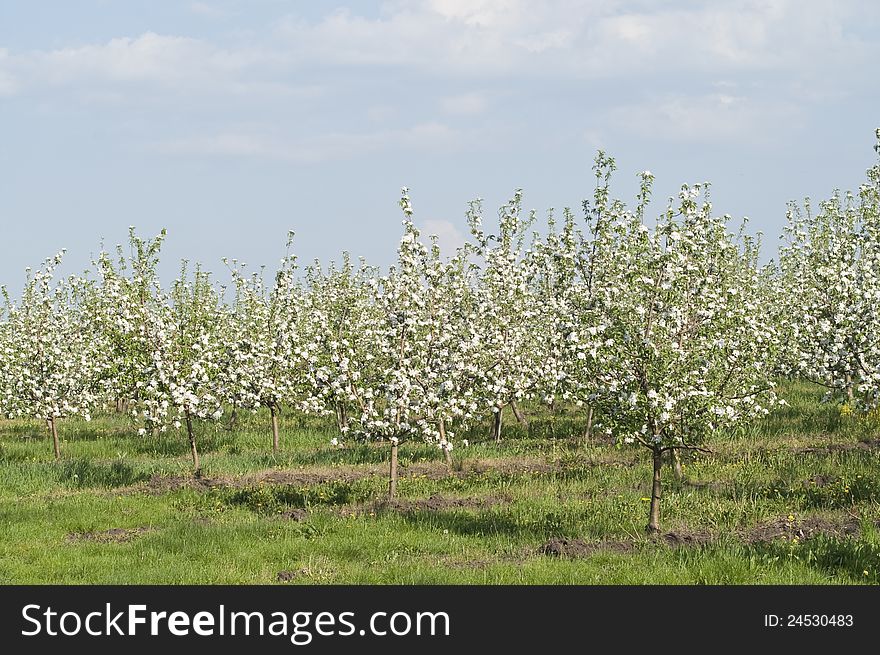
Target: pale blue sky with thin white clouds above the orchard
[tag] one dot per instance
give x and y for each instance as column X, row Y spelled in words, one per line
column 230, row 122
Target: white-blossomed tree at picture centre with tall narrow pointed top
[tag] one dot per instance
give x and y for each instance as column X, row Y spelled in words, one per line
column 428, row 344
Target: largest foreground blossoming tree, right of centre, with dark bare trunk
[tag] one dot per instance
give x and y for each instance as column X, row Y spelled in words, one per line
column 690, row 347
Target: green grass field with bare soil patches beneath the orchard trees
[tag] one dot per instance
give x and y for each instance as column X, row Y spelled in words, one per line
column 794, row 499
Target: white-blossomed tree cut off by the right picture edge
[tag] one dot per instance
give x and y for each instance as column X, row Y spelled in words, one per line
column 830, row 279
